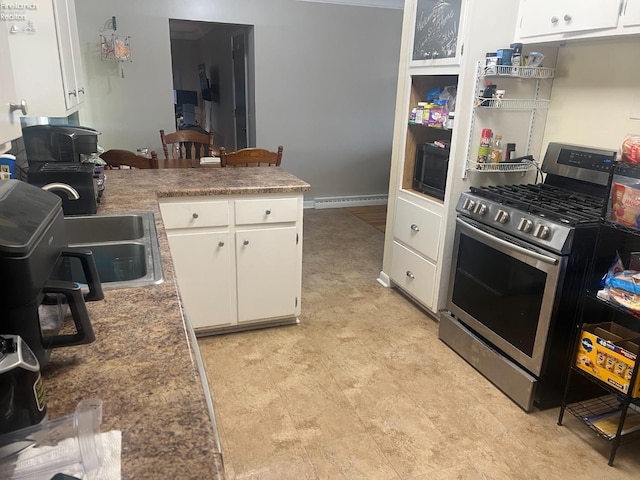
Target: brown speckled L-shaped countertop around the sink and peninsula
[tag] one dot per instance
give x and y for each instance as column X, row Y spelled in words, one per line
column 142, row 364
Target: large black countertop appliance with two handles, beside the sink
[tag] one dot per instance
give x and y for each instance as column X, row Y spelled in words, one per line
column 32, row 245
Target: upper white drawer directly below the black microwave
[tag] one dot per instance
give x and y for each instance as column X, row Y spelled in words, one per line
column 418, row 228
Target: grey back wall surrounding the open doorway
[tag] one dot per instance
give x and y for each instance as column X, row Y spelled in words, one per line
column 325, row 79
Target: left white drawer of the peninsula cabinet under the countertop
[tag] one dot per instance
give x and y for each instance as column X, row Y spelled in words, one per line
column 195, row 214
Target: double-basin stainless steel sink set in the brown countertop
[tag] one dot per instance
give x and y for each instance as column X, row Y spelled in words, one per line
column 125, row 249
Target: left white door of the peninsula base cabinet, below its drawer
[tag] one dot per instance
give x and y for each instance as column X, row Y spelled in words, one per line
column 204, row 268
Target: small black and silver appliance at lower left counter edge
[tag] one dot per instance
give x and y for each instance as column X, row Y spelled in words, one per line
column 22, row 398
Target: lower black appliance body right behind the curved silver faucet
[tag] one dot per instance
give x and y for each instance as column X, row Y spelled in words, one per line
column 80, row 176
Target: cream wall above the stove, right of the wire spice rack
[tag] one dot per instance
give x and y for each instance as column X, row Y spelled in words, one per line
column 595, row 89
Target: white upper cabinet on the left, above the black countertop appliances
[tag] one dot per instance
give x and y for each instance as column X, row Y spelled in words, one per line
column 45, row 56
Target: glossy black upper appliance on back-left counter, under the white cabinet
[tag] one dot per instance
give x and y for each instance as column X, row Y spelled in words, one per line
column 58, row 143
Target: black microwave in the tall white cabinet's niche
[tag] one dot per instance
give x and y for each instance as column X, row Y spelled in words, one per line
column 430, row 170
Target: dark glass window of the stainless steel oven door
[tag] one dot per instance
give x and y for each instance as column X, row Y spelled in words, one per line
column 499, row 291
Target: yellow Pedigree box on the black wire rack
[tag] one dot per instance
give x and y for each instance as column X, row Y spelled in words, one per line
column 608, row 351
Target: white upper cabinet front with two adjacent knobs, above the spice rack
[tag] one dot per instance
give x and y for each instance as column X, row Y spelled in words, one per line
column 549, row 17
